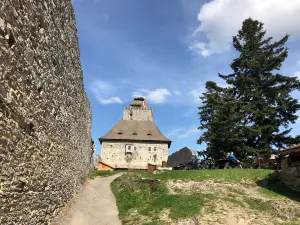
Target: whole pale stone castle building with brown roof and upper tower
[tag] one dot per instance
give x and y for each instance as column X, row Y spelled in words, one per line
column 135, row 141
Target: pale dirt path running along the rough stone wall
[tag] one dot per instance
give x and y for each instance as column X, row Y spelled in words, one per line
column 95, row 205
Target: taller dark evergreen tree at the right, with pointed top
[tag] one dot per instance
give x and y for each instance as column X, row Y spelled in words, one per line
column 263, row 96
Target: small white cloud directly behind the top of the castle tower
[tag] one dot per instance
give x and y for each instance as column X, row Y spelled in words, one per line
column 156, row 96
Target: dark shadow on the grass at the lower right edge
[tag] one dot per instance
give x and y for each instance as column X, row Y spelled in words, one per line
column 273, row 184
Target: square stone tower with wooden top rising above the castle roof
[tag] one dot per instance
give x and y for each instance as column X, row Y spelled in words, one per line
column 138, row 110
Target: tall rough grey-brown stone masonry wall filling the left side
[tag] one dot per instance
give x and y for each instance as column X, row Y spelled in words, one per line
column 45, row 117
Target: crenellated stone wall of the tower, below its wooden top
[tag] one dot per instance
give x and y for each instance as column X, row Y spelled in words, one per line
column 135, row 113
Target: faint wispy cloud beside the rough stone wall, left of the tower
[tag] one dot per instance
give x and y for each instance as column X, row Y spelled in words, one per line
column 102, row 90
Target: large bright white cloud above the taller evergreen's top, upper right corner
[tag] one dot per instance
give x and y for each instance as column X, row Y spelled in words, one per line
column 221, row 19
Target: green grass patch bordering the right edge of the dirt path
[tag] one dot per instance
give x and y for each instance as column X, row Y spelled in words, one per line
column 133, row 195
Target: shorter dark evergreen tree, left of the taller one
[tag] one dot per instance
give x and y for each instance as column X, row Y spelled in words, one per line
column 219, row 121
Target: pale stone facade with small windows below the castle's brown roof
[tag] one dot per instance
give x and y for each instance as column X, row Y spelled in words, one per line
column 117, row 154
